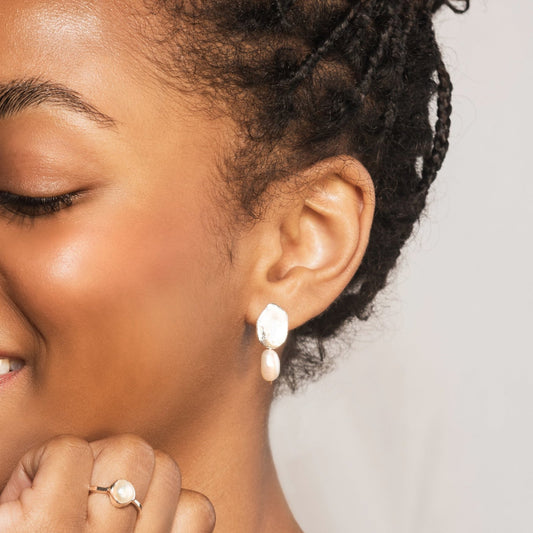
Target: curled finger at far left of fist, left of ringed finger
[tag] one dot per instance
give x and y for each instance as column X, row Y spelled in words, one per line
column 51, row 481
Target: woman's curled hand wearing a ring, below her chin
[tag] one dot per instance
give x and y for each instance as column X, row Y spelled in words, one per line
column 48, row 490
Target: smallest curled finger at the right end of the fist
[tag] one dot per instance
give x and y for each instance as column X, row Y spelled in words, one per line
column 195, row 513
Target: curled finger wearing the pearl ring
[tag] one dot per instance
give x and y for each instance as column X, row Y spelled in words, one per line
column 120, row 457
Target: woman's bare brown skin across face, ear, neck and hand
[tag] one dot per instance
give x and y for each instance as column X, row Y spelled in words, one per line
column 136, row 329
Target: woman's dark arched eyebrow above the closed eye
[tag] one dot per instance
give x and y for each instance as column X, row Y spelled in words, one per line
column 20, row 94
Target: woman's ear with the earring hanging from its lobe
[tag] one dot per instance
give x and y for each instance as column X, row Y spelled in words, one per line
column 310, row 244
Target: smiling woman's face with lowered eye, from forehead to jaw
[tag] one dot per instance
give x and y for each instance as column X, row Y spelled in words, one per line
column 122, row 304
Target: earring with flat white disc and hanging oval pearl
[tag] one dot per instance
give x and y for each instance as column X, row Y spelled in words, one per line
column 272, row 330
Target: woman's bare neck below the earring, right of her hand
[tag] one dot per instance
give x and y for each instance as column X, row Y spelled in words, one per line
column 226, row 456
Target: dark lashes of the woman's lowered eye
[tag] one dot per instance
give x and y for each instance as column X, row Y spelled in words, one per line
column 35, row 206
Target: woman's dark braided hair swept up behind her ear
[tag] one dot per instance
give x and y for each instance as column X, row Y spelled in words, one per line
column 309, row 79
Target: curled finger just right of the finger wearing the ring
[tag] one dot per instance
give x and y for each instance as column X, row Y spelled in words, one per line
column 160, row 504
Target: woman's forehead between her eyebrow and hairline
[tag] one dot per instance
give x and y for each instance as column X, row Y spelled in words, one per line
column 91, row 47
